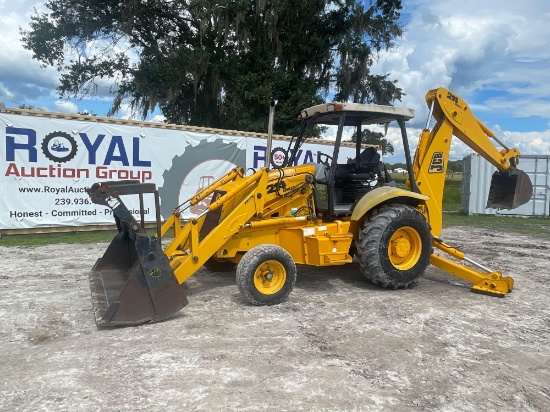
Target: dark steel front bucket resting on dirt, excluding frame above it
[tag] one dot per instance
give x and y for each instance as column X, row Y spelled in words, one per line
column 133, row 283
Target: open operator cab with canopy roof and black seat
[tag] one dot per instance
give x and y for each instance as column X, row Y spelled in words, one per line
column 341, row 182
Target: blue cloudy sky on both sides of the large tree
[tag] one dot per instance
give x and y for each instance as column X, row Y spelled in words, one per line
column 494, row 54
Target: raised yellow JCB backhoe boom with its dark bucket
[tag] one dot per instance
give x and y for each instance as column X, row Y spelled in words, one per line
column 510, row 187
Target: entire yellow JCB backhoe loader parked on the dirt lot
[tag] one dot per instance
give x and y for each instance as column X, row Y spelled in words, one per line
column 322, row 214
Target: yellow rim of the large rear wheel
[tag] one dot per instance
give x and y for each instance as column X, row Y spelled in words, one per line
column 405, row 248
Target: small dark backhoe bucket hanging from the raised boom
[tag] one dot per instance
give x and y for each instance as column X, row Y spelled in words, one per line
column 509, row 189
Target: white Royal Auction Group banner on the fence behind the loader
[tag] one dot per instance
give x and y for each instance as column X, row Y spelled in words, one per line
column 47, row 164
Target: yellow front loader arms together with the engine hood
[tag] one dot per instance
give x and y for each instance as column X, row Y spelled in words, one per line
column 239, row 202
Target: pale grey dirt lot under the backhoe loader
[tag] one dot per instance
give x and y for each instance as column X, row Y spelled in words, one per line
column 338, row 343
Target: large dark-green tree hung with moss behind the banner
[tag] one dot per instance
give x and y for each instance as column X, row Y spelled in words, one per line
column 218, row 63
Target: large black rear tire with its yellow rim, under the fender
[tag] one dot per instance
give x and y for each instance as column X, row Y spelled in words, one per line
column 394, row 246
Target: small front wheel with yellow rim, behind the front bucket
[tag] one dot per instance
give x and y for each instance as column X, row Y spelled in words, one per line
column 266, row 275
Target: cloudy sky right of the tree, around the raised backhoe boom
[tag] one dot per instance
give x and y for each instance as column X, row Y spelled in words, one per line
column 493, row 54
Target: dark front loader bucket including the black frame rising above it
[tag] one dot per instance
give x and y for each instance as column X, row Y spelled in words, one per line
column 133, row 282
